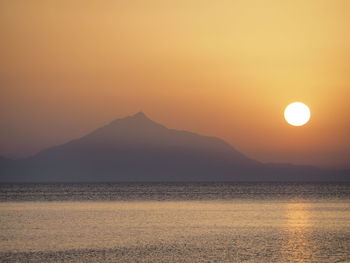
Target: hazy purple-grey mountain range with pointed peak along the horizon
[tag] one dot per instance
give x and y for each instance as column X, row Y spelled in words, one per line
column 136, row 148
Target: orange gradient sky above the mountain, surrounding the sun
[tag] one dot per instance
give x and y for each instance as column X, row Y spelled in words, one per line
column 223, row 68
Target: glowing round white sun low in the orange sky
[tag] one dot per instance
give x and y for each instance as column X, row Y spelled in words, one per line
column 297, row 114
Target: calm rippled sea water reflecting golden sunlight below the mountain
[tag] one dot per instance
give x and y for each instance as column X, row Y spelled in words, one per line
column 175, row 223
